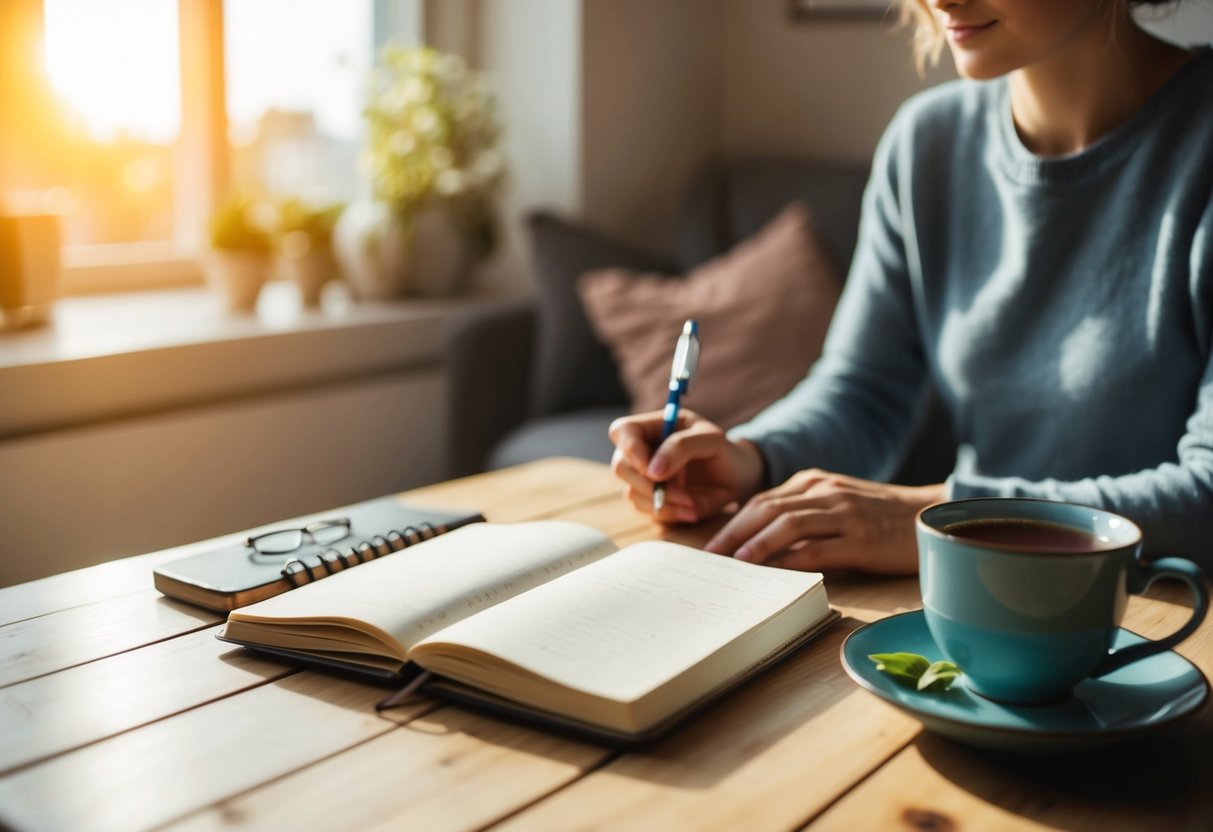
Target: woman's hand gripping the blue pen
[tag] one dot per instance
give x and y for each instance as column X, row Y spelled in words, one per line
column 704, row 471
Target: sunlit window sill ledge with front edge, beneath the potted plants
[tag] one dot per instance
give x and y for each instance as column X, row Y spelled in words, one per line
column 110, row 357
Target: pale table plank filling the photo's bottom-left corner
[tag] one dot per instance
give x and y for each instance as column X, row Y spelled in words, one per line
column 195, row 760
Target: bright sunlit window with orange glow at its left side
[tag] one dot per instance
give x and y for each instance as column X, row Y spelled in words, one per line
column 134, row 117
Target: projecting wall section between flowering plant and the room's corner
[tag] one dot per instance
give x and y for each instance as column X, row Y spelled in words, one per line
column 610, row 104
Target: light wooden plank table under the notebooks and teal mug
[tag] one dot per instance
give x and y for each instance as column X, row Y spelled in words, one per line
column 121, row 711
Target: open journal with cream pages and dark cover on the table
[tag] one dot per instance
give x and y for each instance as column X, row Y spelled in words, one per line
column 550, row 622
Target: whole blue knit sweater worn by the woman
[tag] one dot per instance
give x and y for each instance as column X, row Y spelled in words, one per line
column 1063, row 310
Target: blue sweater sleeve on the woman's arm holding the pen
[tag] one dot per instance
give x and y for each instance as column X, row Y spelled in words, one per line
column 857, row 411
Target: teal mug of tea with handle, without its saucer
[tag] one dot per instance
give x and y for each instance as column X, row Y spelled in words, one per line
column 1027, row 596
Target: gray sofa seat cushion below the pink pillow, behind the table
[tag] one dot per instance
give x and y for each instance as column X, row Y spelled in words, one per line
column 582, row 435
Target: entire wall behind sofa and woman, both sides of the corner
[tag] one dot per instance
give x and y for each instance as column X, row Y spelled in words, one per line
column 611, row 104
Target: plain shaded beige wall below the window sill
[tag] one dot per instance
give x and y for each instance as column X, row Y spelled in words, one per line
column 84, row 495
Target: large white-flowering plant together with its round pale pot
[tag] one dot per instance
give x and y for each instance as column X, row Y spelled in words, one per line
column 436, row 173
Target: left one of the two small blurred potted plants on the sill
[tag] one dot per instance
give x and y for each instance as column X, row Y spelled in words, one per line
column 242, row 252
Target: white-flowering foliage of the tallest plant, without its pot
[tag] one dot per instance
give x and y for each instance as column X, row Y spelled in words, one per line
column 434, row 136
